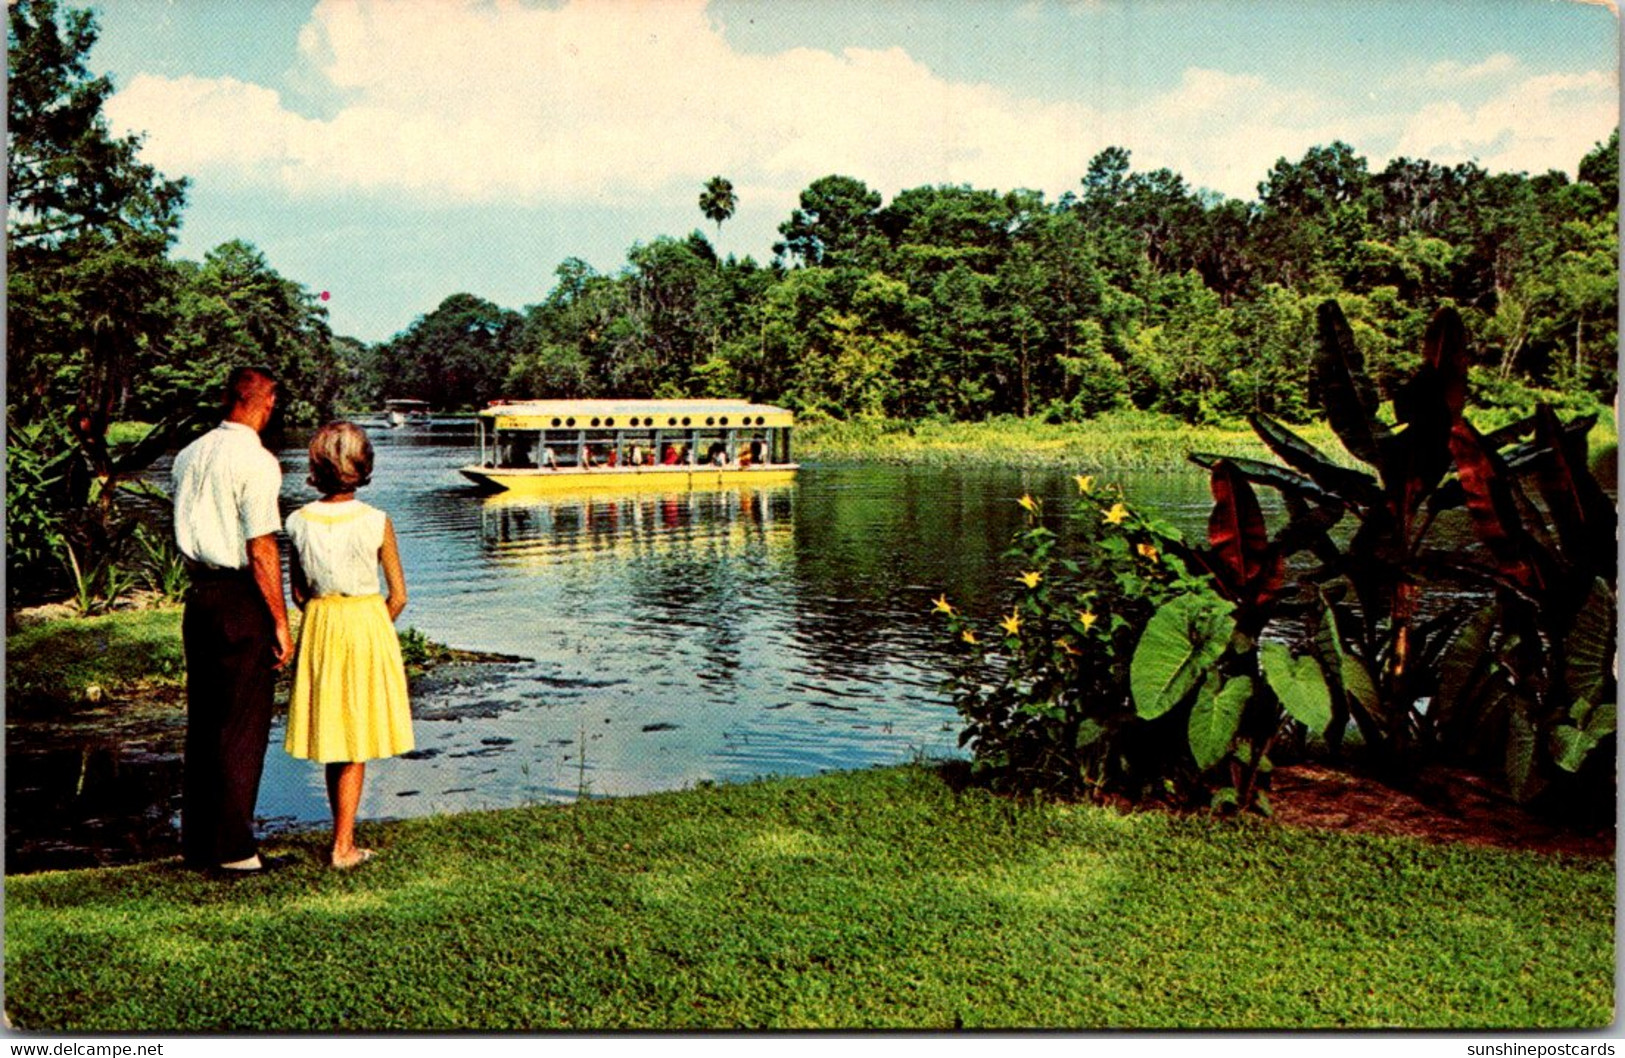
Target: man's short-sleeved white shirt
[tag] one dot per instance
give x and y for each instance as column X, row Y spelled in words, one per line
column 227, row 488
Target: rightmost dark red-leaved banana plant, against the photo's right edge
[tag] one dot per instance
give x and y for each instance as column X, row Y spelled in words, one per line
column 1530, row 683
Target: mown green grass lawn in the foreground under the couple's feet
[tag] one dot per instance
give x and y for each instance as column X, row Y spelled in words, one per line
column 857, row 901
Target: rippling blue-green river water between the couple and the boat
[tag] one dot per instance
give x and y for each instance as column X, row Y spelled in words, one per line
column 667, row 641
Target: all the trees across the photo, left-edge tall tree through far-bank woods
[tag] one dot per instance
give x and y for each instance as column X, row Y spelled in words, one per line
column 1132, row 292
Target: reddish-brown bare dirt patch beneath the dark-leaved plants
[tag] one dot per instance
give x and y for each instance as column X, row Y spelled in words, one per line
column 1447, row 807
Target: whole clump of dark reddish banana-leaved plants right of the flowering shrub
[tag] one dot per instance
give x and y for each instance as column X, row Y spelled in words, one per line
column 1423, row 670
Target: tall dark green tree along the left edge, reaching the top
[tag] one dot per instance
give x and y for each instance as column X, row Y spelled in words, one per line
column 89, row 284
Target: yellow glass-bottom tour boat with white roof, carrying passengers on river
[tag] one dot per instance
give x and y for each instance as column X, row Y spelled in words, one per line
column 555, row 446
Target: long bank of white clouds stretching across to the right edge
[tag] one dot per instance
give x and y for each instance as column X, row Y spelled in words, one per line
column 610, row 102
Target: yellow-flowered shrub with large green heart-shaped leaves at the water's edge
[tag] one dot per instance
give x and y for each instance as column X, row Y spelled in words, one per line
column 1129, row 669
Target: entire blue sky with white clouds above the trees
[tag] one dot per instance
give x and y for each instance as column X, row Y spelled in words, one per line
column 399, row 152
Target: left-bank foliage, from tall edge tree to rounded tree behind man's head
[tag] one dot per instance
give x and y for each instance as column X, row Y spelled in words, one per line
column 105, row 327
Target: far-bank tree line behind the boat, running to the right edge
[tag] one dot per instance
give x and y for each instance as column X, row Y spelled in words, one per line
column 1133, row 292
